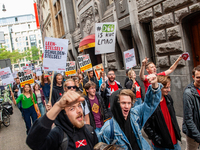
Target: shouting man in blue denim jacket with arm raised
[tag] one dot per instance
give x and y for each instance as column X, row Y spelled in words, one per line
column 125, row 126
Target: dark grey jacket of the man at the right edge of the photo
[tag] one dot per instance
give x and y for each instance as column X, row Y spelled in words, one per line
column 191, row 110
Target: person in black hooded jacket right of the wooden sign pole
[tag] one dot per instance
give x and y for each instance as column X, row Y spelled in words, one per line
column 57, row 88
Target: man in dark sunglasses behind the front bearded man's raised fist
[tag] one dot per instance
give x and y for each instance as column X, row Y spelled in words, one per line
column 70, row 85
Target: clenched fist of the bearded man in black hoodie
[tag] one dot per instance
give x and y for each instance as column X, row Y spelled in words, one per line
column 69, row 98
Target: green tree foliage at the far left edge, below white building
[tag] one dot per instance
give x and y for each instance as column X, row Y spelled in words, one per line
column 14, row 56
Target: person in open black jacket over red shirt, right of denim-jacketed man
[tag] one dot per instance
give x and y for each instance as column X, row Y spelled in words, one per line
column 162, row 127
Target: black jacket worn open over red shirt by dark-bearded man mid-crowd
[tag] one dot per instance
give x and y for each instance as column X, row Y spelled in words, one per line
column 106, row 93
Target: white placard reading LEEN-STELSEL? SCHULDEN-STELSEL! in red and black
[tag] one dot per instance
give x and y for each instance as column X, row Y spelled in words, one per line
column 55, row 54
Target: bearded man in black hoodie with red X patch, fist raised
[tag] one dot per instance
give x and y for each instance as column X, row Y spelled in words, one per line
column 67, row 114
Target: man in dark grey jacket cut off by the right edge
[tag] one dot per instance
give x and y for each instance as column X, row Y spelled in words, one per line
column 191, row 110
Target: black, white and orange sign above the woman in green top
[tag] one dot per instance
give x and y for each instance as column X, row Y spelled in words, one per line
column 26, row 76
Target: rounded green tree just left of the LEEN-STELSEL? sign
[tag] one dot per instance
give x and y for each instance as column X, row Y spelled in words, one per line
column 33, row 54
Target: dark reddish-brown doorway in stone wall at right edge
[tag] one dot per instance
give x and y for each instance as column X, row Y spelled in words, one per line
column 194, row 28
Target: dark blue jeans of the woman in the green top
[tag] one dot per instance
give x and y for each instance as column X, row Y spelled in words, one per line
column 29, row 113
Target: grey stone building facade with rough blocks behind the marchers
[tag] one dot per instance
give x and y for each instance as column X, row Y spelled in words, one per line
column 158, row 29
